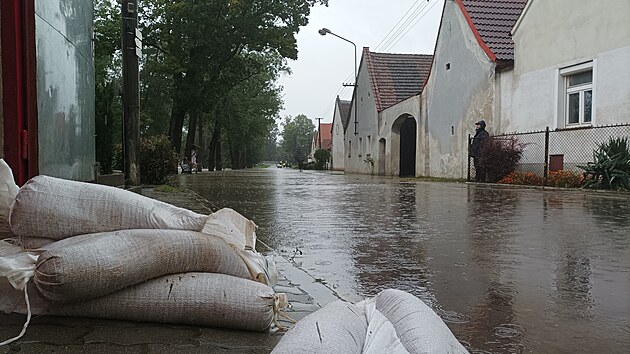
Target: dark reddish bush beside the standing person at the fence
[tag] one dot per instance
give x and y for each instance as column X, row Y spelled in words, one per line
column 500, row 156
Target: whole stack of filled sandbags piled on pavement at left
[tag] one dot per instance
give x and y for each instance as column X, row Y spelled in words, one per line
column 98, row 251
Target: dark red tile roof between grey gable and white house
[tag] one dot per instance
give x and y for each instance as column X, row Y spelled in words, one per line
column 492, row 21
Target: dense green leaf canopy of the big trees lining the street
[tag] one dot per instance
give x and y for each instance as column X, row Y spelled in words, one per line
column 205, row 51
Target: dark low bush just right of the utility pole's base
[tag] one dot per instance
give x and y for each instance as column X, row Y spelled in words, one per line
column 158, row 160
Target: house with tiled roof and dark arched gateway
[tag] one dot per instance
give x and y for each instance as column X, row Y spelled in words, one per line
column 381, row 138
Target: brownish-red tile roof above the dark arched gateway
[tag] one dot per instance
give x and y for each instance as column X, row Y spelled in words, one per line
column 396, row 77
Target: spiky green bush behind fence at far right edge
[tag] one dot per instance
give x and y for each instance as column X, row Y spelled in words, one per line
column 610, row 168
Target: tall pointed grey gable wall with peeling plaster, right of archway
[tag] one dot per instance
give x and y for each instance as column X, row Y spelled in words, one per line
column 459, row 92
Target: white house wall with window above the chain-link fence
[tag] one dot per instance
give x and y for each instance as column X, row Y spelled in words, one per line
column 571, row 66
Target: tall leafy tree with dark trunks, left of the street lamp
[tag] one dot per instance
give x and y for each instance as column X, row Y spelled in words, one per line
column 206, row 45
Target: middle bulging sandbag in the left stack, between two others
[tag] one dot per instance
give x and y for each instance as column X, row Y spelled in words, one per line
column 89, row 266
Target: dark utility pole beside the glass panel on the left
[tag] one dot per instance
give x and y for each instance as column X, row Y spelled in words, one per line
column 131, row 52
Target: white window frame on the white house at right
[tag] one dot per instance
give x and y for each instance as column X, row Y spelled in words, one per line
column 564, row 91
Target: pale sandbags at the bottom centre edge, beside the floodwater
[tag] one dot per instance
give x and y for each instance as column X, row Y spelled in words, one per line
column 391, row 322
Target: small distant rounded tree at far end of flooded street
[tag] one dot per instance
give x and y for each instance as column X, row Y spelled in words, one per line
column 296, row 138
